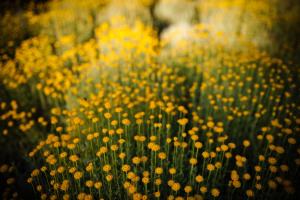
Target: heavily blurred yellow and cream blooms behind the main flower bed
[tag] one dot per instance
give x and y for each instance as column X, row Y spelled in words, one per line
column 270, row 24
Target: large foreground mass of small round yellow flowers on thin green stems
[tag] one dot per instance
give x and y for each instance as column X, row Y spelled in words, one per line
column 133, row 117
